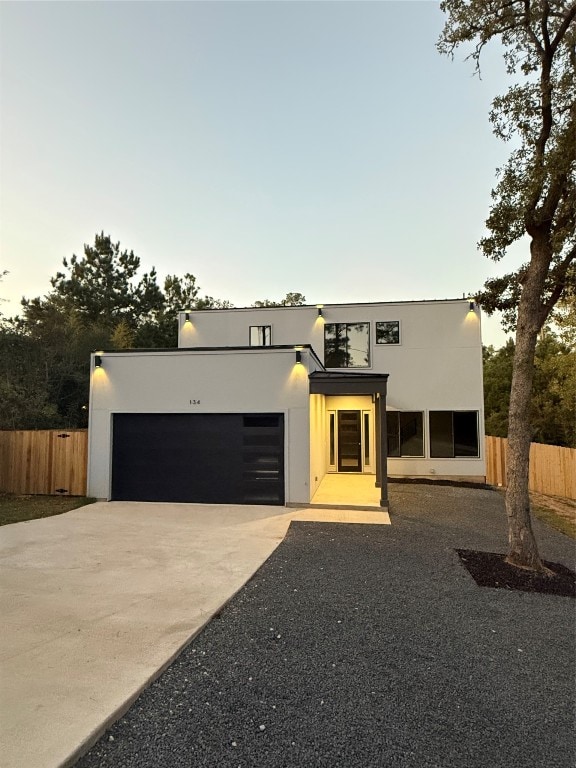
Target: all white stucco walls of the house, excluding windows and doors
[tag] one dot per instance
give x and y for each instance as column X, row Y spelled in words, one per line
column 437, row 366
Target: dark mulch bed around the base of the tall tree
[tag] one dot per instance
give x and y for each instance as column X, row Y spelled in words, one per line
column 489, row 569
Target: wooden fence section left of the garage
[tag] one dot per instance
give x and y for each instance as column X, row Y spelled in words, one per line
column 47, row 461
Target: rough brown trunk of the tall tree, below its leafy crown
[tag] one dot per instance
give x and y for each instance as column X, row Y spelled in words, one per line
column 522, row 548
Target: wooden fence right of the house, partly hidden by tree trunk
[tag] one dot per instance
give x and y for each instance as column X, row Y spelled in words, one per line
column 552, row 469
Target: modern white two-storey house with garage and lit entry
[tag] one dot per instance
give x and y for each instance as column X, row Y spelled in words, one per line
column 259, row 405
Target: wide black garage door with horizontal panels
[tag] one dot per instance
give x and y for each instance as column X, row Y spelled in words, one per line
column 226, row 458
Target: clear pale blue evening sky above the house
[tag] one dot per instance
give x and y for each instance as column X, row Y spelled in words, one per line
column 266, row 147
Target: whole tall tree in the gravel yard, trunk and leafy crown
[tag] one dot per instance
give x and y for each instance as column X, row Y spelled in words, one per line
column 535, row 196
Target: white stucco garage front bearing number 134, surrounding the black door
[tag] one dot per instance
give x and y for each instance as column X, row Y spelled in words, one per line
column 253, row 381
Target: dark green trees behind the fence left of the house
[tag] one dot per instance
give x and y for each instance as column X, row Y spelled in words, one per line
column 97, row 301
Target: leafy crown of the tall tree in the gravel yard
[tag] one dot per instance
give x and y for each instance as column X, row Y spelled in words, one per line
column 536, row 190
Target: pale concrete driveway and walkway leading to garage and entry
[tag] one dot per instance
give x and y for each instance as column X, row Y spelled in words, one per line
column 96, row 602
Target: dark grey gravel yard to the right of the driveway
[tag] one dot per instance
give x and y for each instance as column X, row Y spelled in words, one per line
column 358, row 645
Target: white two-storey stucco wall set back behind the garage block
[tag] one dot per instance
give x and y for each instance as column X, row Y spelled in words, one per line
column 436, row 366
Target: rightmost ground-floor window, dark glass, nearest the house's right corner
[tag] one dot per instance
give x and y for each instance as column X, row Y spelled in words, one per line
column 453, row 434
